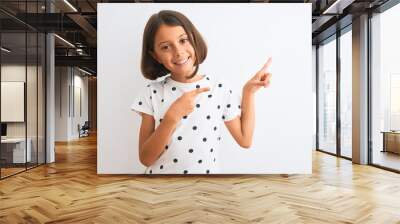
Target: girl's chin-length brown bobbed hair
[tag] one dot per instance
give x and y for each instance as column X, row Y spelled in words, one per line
column 151, row 69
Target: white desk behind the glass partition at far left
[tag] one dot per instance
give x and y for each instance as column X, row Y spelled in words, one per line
column 16, row 148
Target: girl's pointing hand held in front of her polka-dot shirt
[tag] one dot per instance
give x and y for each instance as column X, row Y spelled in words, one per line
column 184, row 105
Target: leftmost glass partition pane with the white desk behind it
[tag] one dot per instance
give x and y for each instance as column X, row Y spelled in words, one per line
column 13, row 111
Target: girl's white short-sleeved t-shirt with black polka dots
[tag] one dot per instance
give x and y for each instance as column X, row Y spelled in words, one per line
column 193, row 147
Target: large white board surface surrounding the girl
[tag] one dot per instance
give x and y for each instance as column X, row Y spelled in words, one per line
column 240, row 37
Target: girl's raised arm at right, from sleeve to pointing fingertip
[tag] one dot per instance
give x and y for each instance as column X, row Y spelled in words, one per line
column 242, row 128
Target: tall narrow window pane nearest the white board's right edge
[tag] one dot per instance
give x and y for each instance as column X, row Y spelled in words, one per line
column 327, row 96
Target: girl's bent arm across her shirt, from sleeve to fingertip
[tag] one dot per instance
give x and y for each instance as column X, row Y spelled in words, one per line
column 152, row 141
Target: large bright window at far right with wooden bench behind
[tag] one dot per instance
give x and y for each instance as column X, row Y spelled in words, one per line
column 385, row 88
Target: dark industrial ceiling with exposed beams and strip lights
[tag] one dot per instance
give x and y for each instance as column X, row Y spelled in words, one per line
column 76, row 22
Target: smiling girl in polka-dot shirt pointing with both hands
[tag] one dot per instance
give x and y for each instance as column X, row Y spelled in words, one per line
column 182, row 115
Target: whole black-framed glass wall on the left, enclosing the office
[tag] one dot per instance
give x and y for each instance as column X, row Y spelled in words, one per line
column 22, row 100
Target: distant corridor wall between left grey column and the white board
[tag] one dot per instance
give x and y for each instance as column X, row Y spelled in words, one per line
column 68, row 80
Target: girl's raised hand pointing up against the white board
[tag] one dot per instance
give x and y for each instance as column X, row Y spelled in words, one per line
column 261, row 78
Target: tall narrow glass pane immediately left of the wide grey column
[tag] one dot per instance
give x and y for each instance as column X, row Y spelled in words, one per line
column 346, row 93
